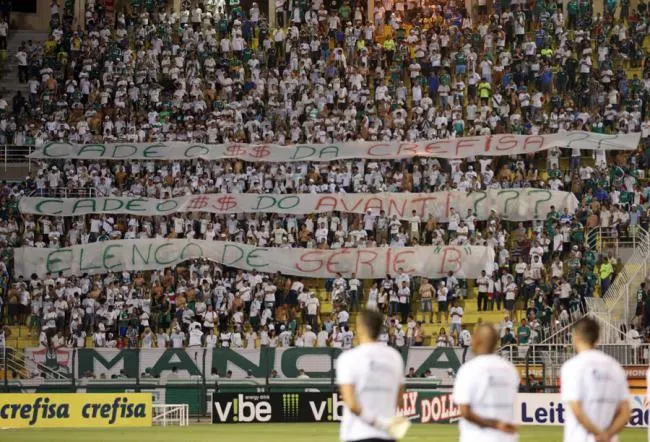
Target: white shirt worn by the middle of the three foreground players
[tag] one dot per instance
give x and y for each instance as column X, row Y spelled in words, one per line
column 489, row 385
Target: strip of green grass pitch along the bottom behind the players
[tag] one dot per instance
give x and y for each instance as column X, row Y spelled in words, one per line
column 267, row 433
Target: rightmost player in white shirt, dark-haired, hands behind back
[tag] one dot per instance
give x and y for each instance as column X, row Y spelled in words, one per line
column 594, row 388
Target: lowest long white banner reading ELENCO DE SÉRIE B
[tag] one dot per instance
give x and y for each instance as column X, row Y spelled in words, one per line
column 156, row 254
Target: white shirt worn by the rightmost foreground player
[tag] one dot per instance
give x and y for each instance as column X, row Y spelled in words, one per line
column 598, row 382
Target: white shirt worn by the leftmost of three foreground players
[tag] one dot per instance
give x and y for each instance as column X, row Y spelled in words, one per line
column 376, row 371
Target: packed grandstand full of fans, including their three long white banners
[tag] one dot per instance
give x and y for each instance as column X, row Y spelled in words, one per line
column 323, row 73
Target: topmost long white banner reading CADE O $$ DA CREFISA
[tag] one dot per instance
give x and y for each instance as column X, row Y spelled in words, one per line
column 490, row 146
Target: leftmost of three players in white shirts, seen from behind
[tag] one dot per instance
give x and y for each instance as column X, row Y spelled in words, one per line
column 371, row 381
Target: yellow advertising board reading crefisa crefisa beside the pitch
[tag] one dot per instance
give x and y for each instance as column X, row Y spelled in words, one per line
column 70, row 410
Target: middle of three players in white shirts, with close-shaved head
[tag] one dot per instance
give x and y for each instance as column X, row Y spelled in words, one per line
column 485, row 391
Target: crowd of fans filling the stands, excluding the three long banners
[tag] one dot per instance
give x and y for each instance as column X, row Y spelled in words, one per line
column 413, row 71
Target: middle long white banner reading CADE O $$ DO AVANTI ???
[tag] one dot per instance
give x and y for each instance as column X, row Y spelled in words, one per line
column 510, row 204
